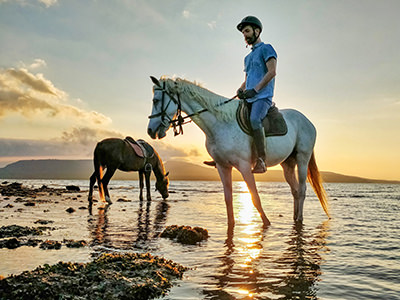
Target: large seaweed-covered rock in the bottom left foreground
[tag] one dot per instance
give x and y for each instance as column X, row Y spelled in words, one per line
column 111, row 276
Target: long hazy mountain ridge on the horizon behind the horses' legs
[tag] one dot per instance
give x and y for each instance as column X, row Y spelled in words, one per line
column 82, row 169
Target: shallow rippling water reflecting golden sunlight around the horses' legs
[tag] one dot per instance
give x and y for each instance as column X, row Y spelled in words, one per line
column 355, row 255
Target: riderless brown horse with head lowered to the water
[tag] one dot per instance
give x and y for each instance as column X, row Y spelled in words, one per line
column 114, row 153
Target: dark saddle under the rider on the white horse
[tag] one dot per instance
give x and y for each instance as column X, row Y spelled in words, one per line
column 274, row 123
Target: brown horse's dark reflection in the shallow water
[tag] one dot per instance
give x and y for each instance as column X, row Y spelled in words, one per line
column 116, row 233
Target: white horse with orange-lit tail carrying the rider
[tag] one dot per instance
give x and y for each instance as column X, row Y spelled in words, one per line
column 230, row 147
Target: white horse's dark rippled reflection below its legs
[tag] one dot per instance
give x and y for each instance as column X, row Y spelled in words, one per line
column 291, row 275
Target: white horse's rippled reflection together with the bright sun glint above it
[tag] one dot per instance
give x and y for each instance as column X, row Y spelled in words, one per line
column 254, row 265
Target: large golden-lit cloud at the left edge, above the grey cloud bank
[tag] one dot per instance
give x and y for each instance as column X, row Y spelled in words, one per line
column 27, row 94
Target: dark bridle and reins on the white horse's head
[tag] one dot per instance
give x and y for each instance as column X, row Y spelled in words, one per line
column 178, row 121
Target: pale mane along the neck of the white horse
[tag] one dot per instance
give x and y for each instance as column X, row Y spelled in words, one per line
column 204, row 97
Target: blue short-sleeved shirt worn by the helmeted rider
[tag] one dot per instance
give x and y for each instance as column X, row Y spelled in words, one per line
column 255, row 68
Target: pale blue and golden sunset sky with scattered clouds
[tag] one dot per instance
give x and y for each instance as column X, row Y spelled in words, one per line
column 73, row 72
